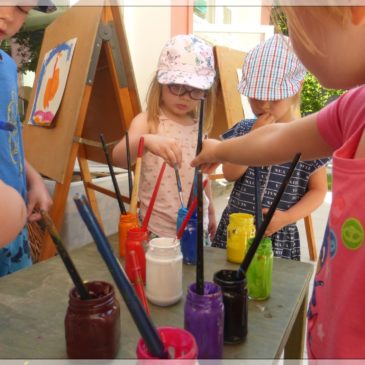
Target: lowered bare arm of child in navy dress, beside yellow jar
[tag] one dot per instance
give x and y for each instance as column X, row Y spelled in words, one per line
column 312, row 199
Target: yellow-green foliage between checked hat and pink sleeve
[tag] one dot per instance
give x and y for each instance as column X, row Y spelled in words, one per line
column 314, row 97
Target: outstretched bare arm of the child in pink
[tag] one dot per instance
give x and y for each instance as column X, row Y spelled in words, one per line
column 272, row 144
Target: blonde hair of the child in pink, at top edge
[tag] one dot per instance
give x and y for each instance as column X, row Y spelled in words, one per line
column 339, row 13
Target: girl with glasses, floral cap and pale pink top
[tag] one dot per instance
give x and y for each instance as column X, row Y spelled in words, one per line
column 184, row 76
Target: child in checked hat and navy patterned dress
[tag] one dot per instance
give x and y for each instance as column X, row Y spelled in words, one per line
column 271, row 79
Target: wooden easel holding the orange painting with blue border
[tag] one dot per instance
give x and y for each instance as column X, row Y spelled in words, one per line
column 100, row 97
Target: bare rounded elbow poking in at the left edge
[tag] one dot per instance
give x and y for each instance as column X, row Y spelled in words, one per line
column 12, row 218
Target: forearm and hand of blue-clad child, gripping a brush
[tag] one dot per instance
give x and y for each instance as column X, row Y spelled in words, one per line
column 38, row 196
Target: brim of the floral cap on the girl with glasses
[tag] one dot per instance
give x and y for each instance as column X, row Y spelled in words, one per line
column 202, row 82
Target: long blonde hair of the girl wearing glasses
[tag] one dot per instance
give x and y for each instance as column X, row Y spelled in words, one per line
column 154, row 104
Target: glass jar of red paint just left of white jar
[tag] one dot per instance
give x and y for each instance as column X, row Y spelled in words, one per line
column 137, row 238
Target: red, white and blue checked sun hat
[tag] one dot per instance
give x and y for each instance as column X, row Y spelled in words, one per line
column 271, row 71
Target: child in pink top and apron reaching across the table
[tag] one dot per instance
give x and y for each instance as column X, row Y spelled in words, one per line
column 330, row 43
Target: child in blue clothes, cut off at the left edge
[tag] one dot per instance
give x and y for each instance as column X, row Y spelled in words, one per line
column 15, row 172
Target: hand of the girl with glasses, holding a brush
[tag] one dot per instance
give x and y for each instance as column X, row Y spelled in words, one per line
column 166, row 148
